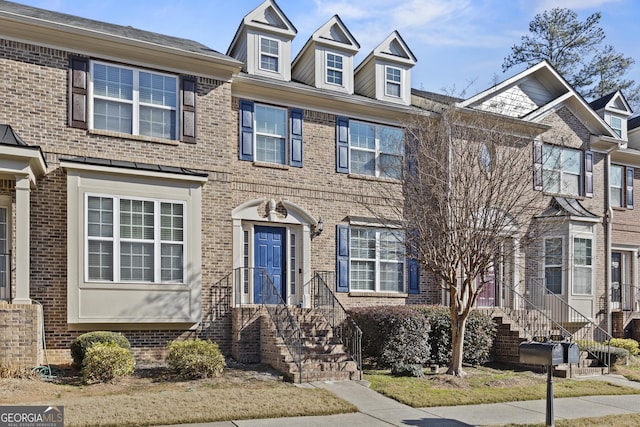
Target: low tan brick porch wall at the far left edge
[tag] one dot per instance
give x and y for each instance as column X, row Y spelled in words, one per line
column 20, row 335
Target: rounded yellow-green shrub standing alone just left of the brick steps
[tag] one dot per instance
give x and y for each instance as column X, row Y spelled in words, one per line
column 195, row 359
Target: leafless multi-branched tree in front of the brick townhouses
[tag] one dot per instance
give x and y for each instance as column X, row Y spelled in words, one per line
column 467, row 191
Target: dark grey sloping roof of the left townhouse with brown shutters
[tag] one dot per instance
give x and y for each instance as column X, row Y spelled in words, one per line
column 126, row 32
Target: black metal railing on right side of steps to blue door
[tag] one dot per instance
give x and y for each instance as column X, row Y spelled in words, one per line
column 344, row 327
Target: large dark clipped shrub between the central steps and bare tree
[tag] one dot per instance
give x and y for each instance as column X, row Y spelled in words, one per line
column 393, row 335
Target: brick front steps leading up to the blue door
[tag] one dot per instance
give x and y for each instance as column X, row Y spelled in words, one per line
column 323, row 357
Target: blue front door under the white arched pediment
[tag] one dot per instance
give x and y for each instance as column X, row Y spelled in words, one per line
column 269, row 244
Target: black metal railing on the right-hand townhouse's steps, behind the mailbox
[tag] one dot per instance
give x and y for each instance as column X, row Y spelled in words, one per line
column 541, row 313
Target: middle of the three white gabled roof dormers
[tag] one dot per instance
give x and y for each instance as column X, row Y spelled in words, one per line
column 326, row 60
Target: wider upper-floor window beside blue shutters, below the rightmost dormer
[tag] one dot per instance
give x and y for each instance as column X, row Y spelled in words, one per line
column 376, row 150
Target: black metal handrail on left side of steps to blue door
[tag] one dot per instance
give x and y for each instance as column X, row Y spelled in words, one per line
column 285, row 323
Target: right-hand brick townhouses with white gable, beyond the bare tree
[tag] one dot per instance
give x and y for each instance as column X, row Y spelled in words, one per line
column 586, row 262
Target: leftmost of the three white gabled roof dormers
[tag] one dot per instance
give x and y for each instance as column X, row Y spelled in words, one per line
column 263, row 42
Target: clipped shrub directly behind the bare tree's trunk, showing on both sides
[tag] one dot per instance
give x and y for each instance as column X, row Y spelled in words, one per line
column 478, row 337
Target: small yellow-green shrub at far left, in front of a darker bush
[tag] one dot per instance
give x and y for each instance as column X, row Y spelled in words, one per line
column 105, row 362
